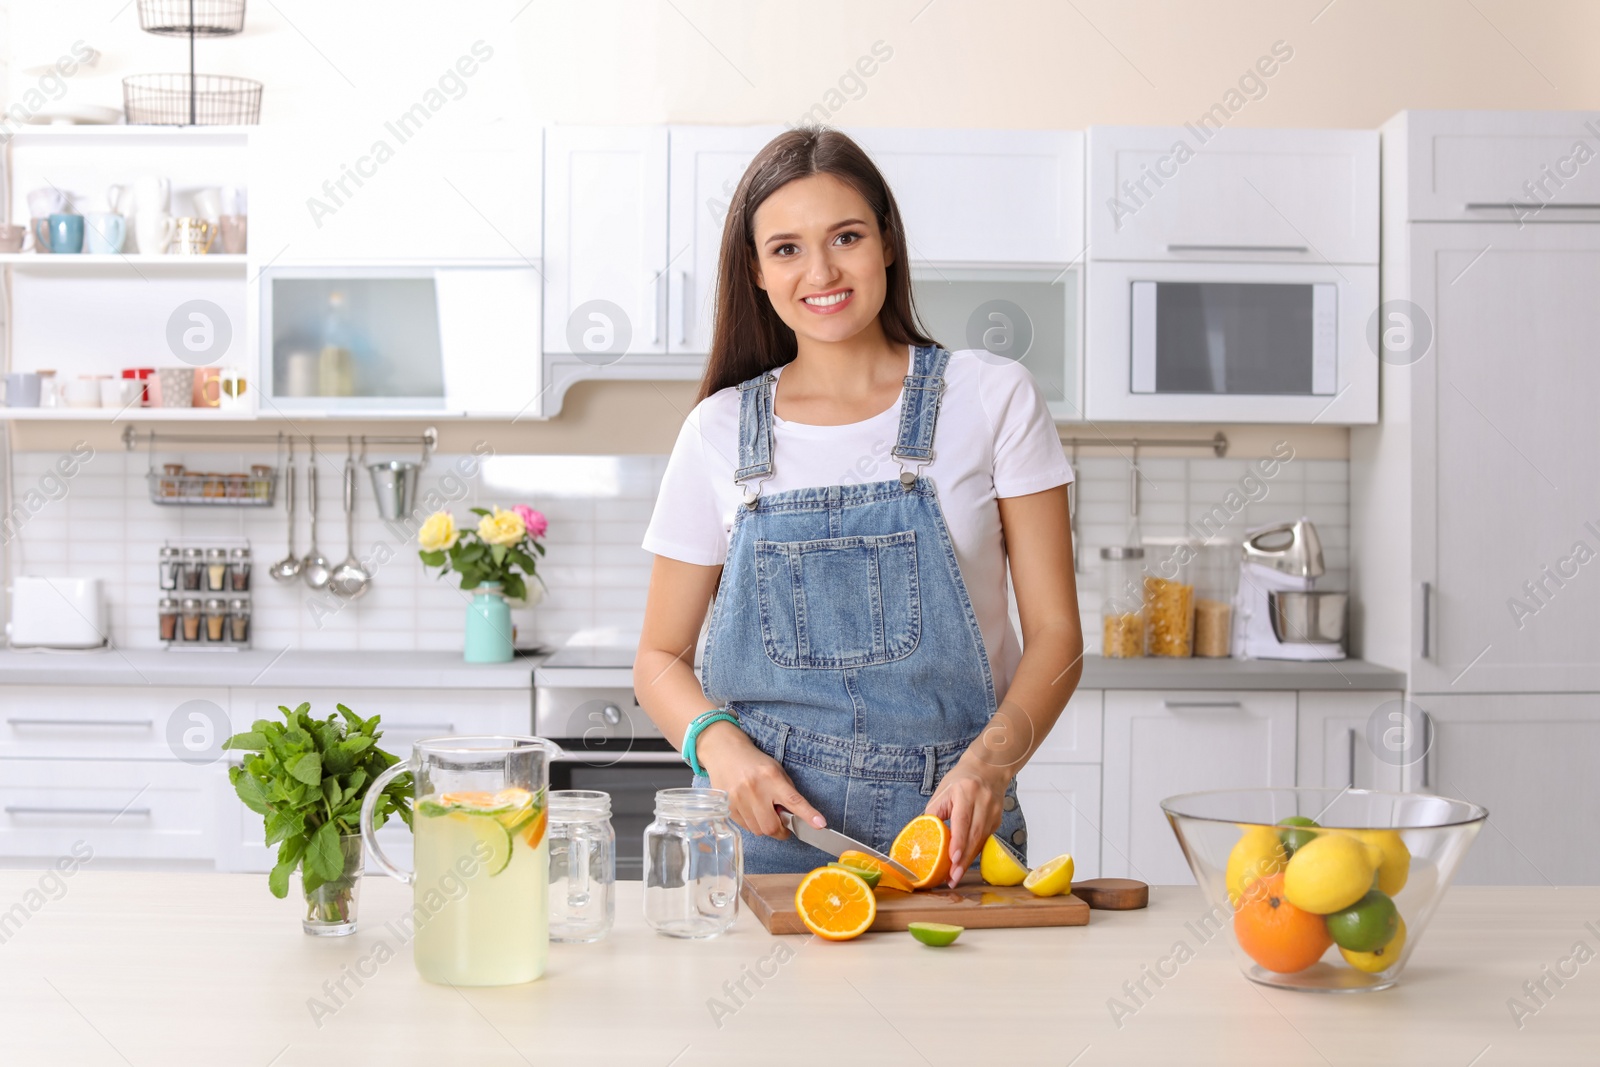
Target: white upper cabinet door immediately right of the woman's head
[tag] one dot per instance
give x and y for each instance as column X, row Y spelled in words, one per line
column 985, row 196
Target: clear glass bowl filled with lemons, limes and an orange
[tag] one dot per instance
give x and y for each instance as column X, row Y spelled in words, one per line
column 1324, row 890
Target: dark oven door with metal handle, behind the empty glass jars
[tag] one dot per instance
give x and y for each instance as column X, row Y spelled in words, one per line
column 633, row 775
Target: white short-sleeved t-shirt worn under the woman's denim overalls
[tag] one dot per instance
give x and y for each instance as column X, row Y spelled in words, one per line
column 994, row 439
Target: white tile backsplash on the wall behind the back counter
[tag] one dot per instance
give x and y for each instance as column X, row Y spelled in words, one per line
column 594, row 569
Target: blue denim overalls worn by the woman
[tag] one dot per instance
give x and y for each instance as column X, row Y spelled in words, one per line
column 844, row 637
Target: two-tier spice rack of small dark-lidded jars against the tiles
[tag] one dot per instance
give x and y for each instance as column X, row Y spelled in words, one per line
column 206, row 596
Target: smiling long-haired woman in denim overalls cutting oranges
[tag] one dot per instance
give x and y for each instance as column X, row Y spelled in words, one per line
column 847, row 498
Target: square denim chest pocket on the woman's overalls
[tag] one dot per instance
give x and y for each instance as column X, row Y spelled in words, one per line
column 839, row 602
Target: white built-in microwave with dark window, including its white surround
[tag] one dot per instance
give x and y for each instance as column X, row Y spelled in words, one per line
column 1231, row 343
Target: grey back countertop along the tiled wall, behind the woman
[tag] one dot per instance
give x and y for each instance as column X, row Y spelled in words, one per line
column 447, row 671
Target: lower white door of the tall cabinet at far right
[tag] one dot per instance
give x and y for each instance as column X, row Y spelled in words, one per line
column 1534, row 761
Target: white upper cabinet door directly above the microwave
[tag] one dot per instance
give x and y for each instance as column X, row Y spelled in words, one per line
column 1191, row 193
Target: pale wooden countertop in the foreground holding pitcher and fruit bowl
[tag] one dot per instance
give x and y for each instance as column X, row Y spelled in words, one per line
column 206, row 969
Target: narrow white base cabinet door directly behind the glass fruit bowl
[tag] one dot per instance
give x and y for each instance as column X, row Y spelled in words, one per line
column 1335, row 741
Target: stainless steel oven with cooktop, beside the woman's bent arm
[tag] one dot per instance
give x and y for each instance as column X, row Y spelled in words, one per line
column 585, row 701
